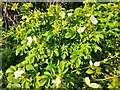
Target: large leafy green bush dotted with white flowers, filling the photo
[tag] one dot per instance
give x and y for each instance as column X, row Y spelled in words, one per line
column 55, row 55
